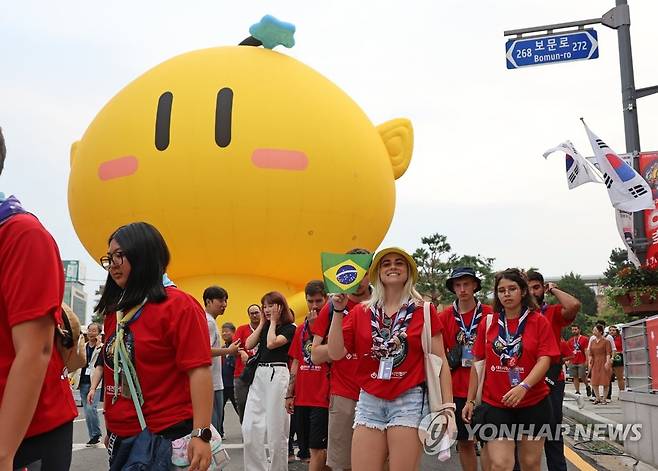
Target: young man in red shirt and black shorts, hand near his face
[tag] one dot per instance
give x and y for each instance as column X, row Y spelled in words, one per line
column 308, row 390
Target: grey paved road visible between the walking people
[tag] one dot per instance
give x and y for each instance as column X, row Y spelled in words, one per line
column 87, row 459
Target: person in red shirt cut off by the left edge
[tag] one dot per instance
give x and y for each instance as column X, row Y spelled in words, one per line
column 36, row 403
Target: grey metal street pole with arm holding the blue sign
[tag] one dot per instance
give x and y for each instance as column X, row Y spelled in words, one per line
column 618, row 18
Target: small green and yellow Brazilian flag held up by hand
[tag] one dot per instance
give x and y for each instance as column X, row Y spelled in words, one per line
column 343, row 272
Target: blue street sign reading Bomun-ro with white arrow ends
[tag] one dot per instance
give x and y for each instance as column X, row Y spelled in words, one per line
column 573, row 46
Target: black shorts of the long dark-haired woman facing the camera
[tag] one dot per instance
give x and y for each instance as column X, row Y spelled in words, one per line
column 512, row 423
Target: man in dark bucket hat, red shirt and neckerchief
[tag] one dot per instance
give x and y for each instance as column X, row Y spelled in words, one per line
column 460, row 322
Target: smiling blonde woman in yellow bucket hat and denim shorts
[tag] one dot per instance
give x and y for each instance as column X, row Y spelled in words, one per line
column 385, row 333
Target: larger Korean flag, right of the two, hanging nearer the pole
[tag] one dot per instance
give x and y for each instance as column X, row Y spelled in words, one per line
column 627, row 190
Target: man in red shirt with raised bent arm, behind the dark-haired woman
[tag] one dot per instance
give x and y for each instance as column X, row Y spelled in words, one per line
column 559, row 316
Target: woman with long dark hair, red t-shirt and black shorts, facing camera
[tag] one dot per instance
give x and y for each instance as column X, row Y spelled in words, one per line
column 517, row 349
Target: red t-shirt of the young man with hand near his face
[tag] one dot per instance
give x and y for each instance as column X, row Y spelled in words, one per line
column 312, row 383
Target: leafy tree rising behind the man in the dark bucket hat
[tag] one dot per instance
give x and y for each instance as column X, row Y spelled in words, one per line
column 435, row 263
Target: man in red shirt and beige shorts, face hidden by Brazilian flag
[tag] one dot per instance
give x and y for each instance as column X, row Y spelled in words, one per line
column 343, row 387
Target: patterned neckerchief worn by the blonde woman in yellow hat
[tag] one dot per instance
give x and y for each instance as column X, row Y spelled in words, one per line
column 386, row 338
